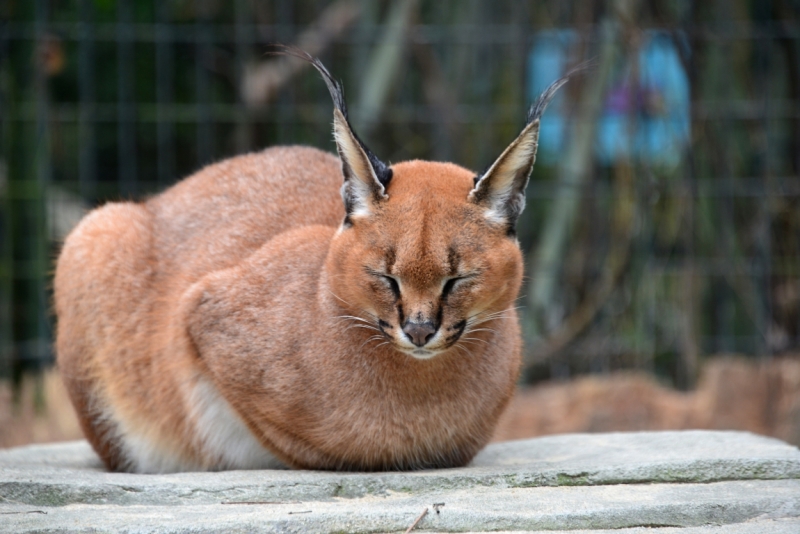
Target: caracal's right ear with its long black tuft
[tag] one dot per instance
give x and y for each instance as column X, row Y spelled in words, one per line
column 501, row 188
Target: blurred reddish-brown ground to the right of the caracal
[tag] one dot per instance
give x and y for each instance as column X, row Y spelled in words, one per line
column 732, row 394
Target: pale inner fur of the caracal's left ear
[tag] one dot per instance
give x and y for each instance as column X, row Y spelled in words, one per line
column 361, row 186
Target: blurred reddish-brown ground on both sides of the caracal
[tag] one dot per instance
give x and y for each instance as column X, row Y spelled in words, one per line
column 733, row 394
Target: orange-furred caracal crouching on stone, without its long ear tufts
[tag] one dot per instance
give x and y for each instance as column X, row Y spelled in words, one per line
column 235, row 319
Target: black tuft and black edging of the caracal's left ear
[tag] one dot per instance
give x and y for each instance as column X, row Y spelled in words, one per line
column 381, row 171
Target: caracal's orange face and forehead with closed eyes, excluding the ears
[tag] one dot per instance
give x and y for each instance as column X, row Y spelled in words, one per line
column 425, row 265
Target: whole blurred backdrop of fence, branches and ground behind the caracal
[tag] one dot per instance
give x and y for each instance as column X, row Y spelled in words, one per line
column 662, row 233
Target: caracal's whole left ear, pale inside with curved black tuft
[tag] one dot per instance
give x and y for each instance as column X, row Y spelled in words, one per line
column 365, row 176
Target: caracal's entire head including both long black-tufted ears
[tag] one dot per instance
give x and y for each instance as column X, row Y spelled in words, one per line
column 427, row 253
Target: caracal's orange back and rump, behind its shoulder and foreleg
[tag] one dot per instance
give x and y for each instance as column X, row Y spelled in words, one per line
column 124, row 267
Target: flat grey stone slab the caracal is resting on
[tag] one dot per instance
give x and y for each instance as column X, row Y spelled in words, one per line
column 688, row 482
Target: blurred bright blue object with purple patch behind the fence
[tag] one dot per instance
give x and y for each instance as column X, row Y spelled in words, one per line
column 647, row 120
